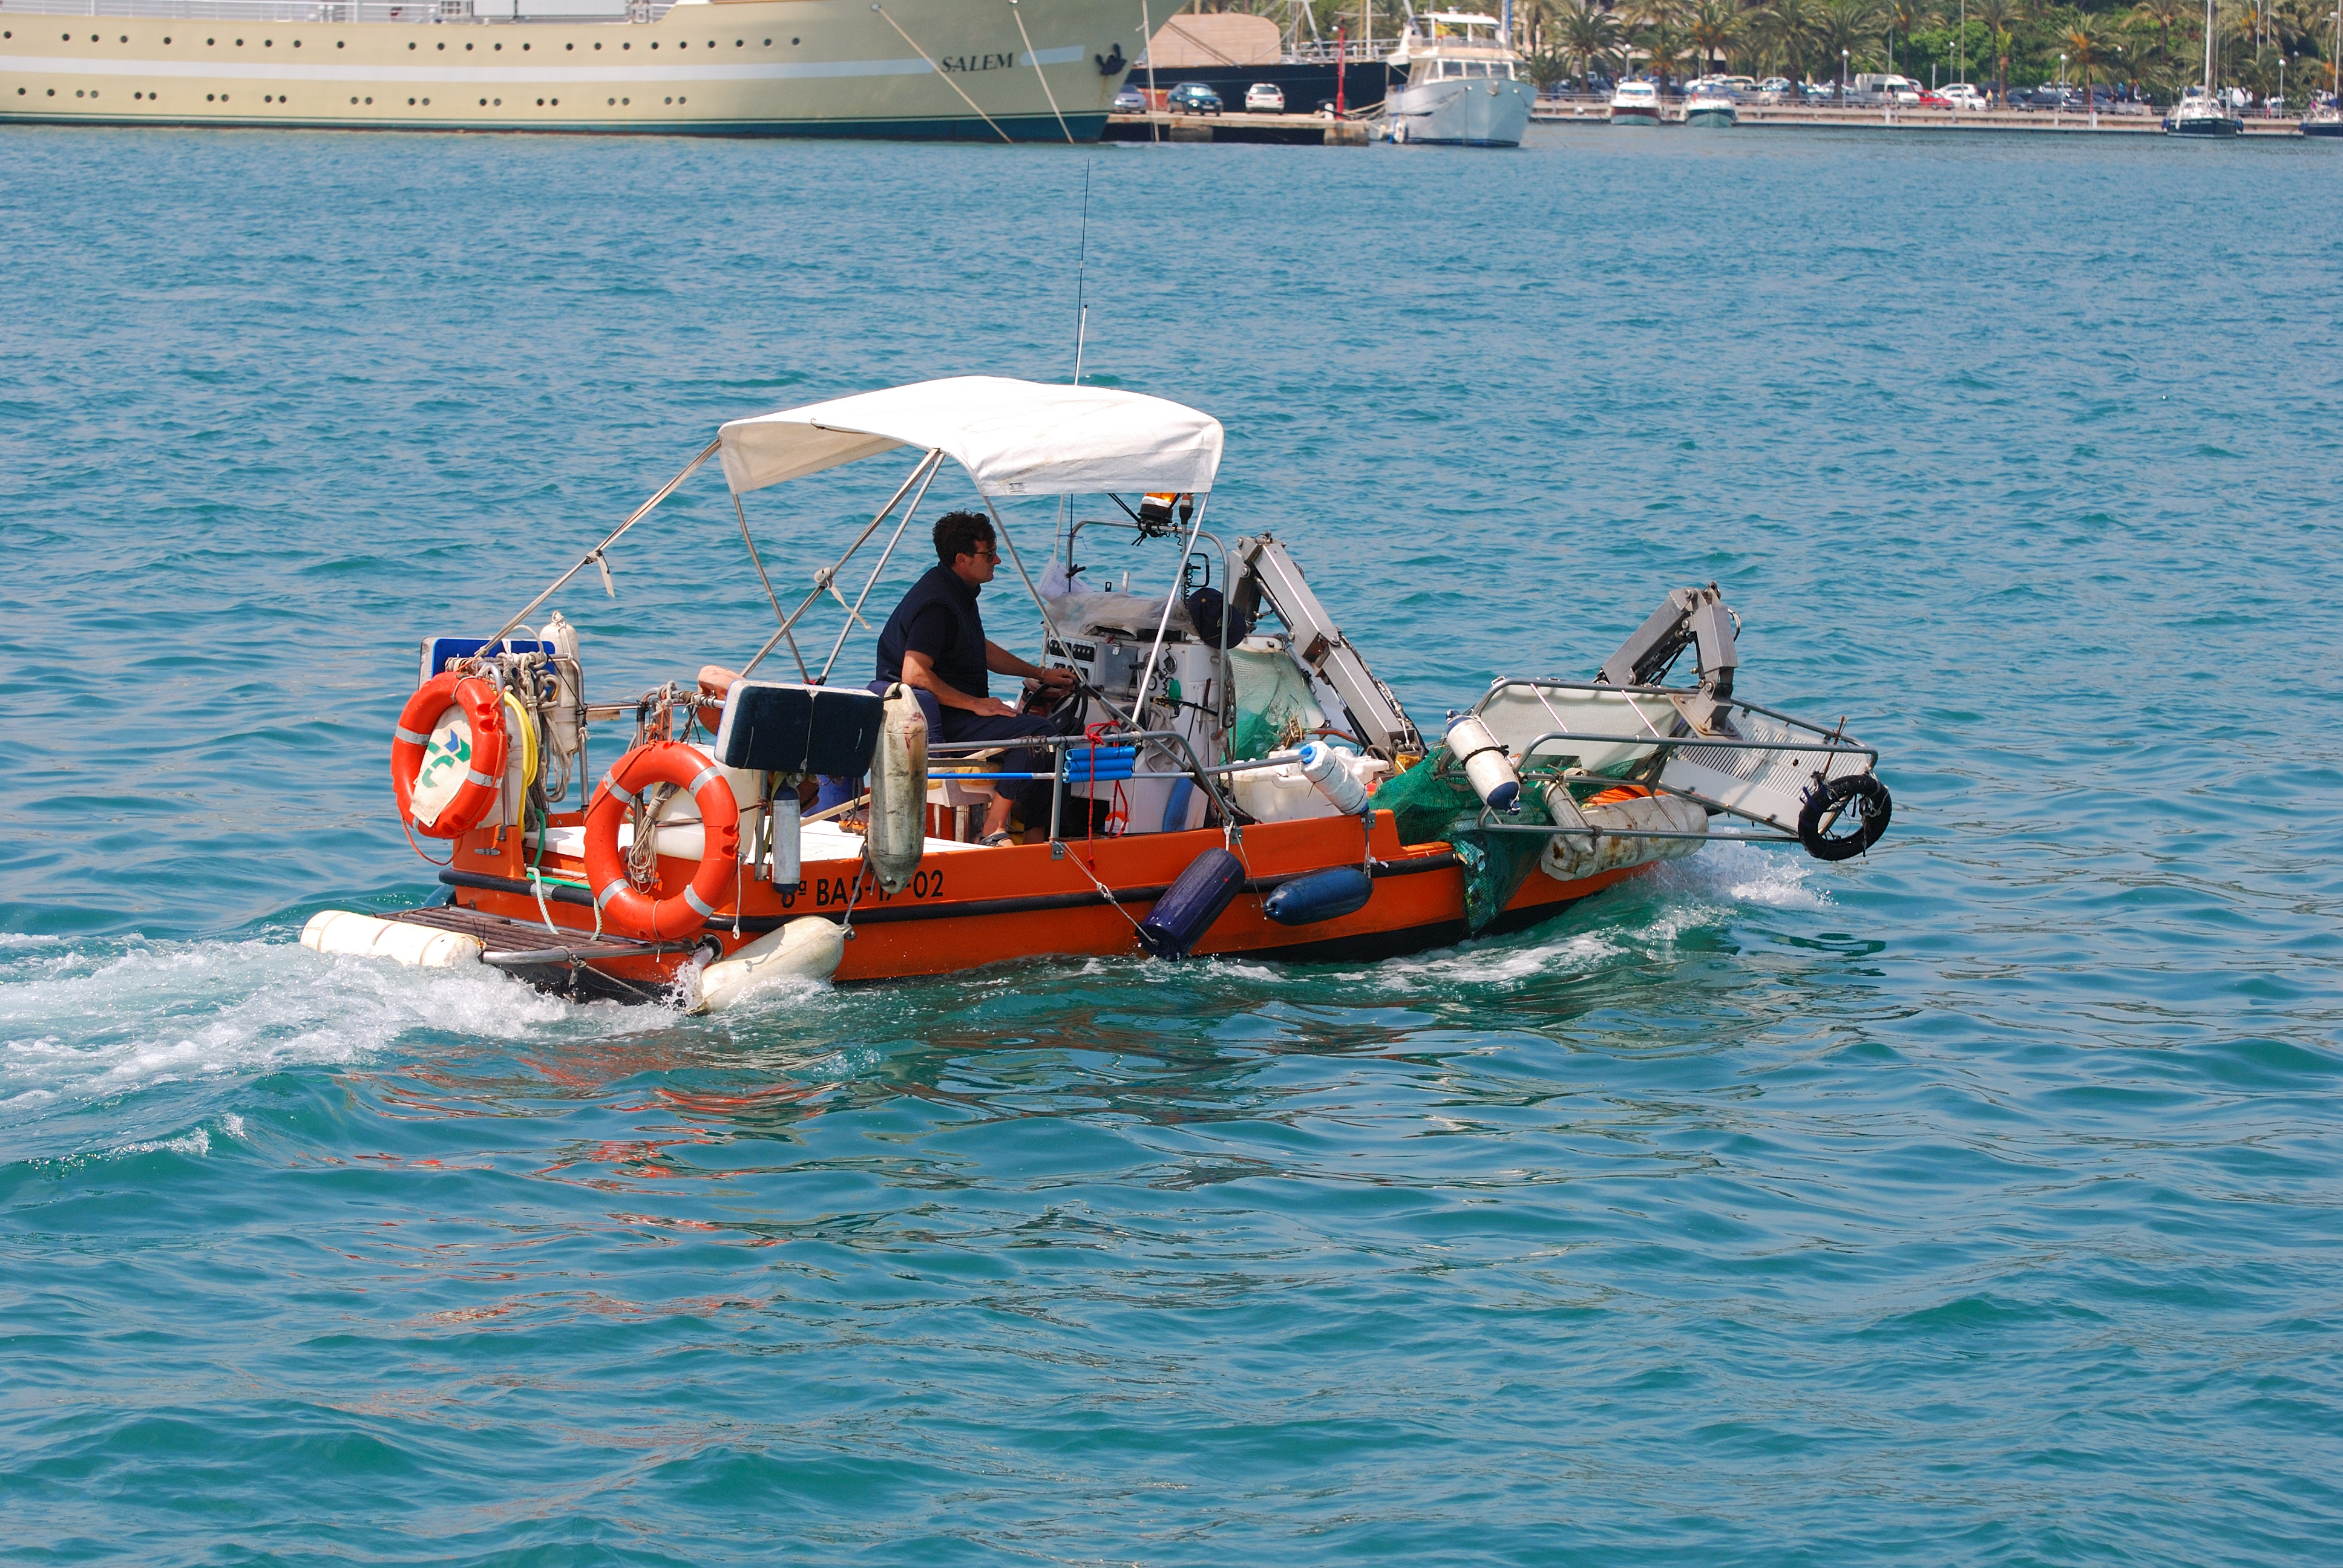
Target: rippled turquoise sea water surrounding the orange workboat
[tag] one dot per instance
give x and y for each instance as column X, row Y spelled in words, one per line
column 1976, row 1201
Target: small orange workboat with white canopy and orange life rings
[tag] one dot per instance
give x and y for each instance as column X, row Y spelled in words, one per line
column 1224, row 775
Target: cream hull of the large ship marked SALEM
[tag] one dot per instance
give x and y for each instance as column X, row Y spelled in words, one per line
column 924, row 69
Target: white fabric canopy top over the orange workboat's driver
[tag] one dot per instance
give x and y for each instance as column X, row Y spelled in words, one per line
column 1011, row 437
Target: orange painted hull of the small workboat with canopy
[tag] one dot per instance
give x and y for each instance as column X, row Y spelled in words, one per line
column 1020, row 901
